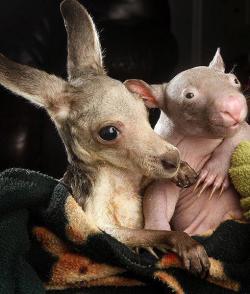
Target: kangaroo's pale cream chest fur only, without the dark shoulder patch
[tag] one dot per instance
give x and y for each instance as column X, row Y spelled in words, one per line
column 115, row 200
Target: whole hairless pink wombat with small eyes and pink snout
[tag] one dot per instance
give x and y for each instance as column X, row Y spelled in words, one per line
column 203, row 114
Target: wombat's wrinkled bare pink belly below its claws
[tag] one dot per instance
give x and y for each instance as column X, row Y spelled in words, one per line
column 198, row 215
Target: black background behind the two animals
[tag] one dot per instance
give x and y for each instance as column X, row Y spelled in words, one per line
column 146, row 39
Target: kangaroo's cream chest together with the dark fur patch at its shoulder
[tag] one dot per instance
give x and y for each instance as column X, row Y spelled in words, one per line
column 108, row 195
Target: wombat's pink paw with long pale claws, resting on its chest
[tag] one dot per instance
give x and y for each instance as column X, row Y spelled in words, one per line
column 213, row 176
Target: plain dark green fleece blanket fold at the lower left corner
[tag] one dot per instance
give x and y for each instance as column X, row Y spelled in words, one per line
column 20, row 190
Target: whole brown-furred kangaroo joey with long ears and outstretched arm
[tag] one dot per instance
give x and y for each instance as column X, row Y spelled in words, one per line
column 110, row 144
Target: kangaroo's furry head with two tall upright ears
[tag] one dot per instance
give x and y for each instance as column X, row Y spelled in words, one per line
column 98, row 118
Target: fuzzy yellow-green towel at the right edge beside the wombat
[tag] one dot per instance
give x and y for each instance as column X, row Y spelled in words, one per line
column 240, row 174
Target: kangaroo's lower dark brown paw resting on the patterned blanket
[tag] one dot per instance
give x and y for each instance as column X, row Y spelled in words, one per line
column 193, row 254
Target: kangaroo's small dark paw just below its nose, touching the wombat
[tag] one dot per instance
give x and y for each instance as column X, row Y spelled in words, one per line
column 186, row 176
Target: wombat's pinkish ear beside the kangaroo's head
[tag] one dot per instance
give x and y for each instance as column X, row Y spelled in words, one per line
column 152, row 95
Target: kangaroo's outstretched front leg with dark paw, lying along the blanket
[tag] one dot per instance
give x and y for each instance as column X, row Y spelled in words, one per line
column 193, row 254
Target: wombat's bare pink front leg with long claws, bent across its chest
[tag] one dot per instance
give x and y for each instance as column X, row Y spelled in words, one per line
column 215, row 172
